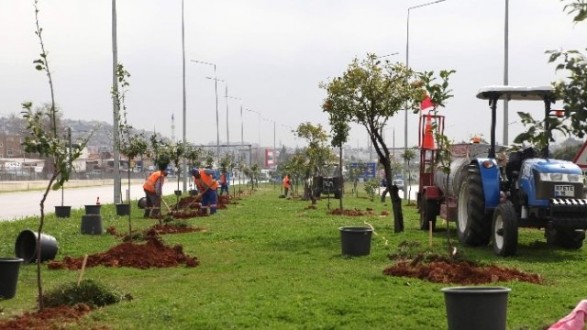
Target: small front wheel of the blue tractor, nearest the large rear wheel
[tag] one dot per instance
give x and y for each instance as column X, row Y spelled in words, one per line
column 505, row 230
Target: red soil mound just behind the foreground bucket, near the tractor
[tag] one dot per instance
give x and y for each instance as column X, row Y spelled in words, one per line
column 440, row 269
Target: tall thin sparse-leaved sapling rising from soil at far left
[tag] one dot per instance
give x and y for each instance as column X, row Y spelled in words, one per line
column 47, row 143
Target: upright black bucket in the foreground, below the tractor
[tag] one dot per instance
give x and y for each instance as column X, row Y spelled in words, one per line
column 476, row 307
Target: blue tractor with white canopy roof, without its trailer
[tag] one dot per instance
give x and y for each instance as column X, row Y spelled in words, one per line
column 527, row 190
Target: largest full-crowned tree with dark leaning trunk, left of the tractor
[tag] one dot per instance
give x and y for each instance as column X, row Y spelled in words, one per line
column 369, row 93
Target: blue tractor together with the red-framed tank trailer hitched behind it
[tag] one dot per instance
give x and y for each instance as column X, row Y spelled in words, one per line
column 491, row 198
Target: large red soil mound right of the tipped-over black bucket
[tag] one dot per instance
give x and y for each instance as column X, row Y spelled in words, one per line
column 153, row 253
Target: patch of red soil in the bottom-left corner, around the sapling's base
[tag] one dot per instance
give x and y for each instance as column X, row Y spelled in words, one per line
column 49, row 318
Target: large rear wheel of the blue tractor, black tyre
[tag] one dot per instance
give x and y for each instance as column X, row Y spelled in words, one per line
column 473, row 225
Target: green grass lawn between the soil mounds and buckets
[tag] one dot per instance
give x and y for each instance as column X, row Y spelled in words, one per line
column 272, row 263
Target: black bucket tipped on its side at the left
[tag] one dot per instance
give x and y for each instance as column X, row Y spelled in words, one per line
column 26, row 246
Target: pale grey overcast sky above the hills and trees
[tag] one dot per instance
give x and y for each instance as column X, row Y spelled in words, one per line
column 272, row 54
